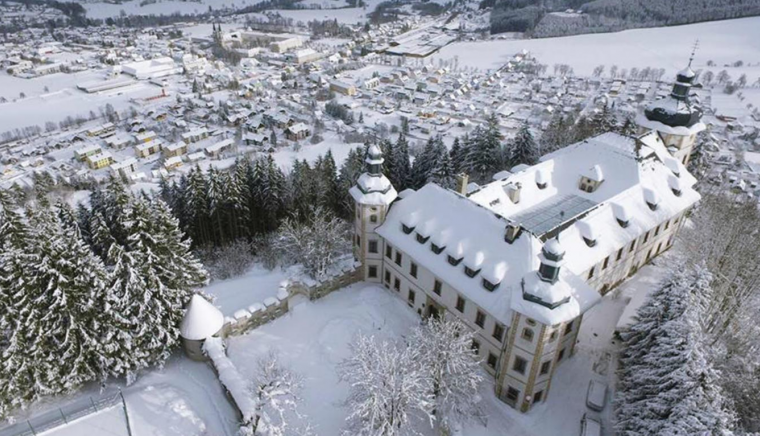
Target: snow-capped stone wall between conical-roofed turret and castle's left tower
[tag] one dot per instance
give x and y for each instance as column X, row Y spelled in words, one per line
column 272, row 308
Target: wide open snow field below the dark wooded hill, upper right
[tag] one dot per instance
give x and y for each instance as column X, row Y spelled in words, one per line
column 664, row 47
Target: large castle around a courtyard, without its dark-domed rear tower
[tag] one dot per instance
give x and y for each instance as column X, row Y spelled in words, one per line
column 521, row 259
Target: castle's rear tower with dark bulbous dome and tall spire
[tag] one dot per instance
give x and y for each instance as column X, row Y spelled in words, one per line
column 676, row 117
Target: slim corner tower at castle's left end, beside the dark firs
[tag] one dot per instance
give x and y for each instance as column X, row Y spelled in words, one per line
column 372, row 194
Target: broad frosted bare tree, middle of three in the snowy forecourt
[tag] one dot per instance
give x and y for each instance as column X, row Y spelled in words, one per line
column 387, row 391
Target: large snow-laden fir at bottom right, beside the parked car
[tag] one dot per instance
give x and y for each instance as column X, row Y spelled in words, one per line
column 667, row 385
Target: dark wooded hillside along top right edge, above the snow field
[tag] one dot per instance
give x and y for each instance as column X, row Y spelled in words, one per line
column 545, row 18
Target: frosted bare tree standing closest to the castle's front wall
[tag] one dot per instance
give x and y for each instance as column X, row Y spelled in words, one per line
column 445, row 348
